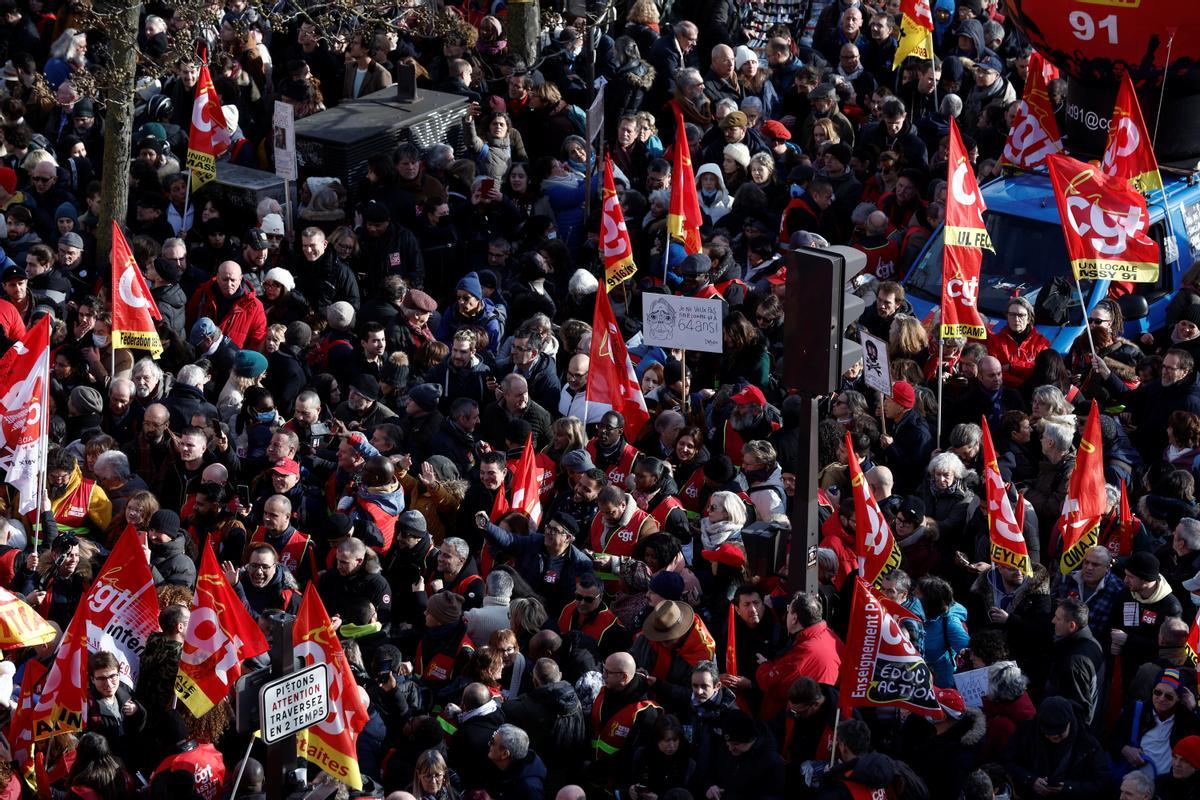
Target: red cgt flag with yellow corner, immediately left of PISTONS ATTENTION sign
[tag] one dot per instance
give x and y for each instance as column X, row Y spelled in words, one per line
column 220, row 636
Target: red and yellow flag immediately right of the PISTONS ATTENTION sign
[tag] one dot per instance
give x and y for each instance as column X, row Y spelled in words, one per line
column 329, row 744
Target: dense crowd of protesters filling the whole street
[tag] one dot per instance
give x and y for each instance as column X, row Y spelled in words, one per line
column 344, row 394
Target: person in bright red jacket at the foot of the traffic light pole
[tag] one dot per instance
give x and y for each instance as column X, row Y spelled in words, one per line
column 815, row 654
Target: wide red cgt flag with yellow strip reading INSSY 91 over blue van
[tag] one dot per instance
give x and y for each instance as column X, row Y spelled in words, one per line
column 1105, row 224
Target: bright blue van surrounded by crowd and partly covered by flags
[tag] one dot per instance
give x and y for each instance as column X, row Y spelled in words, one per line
column 1023, row 220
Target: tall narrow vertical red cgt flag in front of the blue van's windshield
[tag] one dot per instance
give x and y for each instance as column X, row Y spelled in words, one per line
column 965, row 239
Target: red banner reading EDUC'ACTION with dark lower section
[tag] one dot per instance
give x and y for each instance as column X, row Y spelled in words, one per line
column 880, row 666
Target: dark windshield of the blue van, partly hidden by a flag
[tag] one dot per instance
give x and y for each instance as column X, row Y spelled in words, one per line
column 1029, row 255
